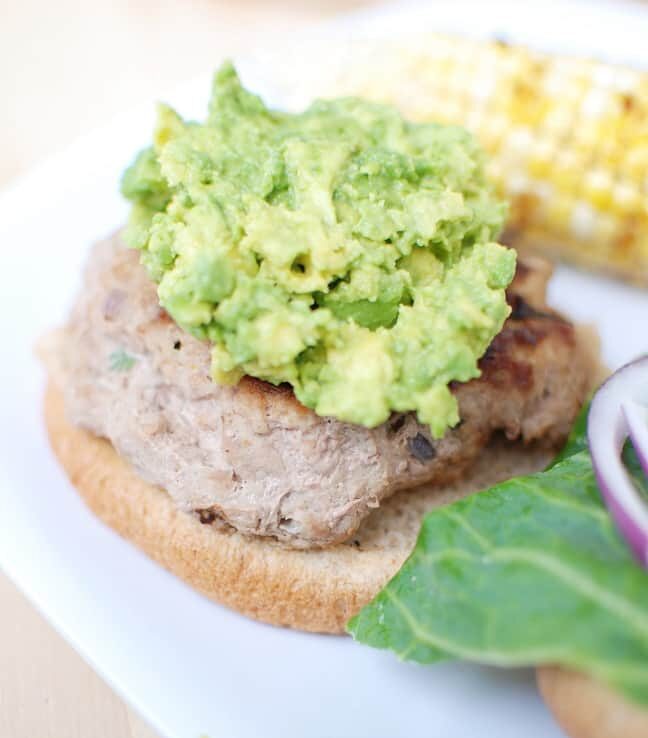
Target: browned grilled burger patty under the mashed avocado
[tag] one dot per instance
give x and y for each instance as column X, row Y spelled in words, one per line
column 253, row 457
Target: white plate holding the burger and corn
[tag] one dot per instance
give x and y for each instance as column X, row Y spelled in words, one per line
column 191, row 667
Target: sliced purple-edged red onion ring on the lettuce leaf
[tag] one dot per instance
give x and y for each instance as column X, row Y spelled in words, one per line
column 620, row 410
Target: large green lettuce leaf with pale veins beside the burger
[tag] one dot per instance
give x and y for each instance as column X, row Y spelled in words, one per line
column 529, row 572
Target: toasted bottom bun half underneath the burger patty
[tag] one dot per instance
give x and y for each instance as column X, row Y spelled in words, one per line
column 315, row 590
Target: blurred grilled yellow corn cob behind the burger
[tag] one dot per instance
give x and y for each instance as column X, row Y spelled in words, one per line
column 567, row 137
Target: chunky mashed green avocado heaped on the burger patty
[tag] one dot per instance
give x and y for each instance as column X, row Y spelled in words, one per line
column 342, row 249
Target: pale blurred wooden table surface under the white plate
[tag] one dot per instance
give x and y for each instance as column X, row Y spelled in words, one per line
column 65, row 66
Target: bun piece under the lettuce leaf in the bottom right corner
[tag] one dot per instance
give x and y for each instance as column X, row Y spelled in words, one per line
column 585, row 708
